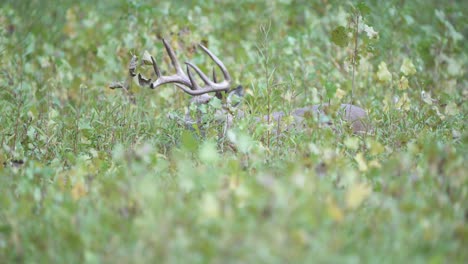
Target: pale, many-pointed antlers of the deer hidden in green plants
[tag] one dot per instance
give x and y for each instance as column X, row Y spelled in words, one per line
column 186, row 81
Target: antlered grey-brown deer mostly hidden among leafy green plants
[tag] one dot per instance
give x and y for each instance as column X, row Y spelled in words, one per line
column 354, row 115
